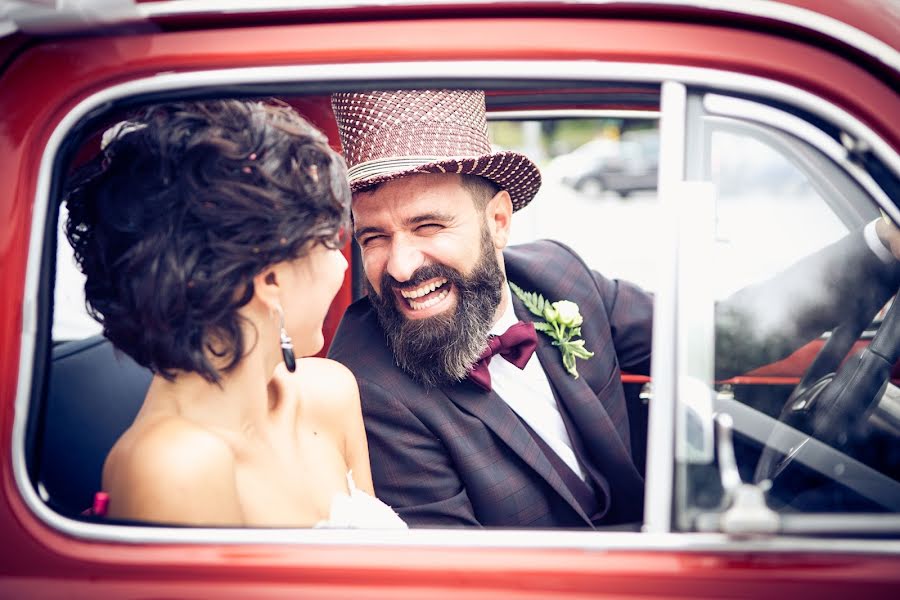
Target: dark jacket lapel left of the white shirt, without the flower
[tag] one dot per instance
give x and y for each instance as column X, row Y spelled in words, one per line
column 497, row 416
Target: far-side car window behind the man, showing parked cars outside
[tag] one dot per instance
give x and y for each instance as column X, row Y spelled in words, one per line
column 599, row 189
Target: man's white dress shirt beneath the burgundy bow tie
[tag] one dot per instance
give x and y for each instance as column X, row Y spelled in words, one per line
column 528, row 393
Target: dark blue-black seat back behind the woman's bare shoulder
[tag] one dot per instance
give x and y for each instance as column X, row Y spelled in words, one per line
column 94, row 394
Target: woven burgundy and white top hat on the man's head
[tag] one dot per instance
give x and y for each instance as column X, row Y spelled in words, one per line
column 390, row 134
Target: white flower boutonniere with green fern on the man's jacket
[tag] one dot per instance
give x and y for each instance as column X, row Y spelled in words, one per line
column 562, row 323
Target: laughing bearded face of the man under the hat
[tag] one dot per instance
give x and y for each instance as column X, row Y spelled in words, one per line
column 431, row 253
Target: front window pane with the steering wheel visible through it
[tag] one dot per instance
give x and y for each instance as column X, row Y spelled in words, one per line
column 806, row 437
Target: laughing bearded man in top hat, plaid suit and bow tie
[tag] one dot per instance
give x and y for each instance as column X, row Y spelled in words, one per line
column 457, row 438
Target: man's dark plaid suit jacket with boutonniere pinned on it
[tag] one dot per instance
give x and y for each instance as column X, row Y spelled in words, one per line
column 458, row 455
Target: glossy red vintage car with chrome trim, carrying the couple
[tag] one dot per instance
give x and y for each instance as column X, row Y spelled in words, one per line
column 779, row 133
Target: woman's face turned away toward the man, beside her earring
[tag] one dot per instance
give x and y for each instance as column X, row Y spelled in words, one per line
column 314, row 279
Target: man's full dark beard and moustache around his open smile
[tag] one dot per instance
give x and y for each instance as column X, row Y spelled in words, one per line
column 441, row 349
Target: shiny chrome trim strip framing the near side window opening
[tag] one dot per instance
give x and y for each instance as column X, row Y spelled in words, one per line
column 364, row 72
